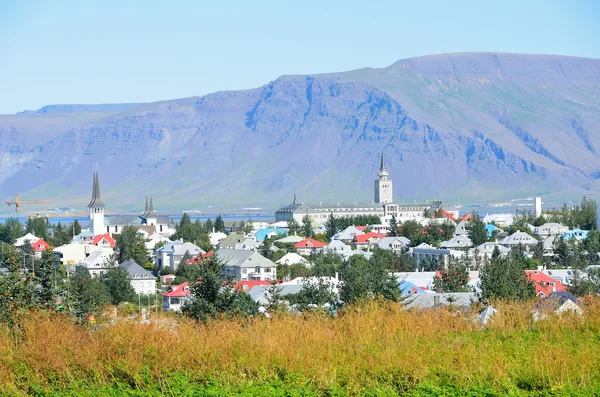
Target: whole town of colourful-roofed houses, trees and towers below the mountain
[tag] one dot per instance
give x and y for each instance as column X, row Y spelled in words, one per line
column 312, row 257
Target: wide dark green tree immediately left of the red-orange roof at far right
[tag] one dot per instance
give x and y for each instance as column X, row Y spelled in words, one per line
column 504, row 279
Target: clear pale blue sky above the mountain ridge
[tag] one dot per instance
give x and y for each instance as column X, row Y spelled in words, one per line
column 141, row 51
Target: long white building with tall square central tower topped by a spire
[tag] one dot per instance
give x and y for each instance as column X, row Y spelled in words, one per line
column 382, row 206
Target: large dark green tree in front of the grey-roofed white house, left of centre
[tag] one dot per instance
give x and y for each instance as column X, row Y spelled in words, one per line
column 213, row 295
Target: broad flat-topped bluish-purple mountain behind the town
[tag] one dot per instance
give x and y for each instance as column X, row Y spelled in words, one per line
column 474, row 126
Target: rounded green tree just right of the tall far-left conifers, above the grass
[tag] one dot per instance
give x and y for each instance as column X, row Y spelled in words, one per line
column 89, row 295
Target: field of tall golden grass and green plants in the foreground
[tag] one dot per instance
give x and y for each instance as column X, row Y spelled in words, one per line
column 368, row 350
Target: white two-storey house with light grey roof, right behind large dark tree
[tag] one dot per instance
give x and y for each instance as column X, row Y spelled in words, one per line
column 247, row 265
